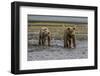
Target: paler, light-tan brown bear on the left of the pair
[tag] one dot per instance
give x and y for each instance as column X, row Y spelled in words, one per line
column 44, row 35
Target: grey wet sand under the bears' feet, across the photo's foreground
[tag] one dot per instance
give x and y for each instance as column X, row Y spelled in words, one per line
column 56, row 51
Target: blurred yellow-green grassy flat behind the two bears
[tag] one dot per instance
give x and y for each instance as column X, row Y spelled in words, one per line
column 57, row 30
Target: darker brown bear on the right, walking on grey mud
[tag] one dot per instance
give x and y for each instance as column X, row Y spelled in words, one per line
column 69, row 38
